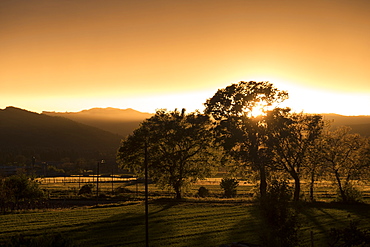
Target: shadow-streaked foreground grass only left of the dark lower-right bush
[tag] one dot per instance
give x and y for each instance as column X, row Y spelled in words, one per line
column 171, row 224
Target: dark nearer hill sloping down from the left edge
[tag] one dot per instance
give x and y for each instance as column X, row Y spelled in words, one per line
column 24, row 130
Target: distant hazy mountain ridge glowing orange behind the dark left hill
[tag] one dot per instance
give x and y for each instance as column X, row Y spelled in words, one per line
column 117, row 121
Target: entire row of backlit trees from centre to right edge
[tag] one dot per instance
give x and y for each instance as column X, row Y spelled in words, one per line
column 277, row 144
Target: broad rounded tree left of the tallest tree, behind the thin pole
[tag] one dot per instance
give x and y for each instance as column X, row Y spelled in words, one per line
column 180, row 149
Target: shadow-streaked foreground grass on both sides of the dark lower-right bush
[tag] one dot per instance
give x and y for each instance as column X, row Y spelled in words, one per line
column 173, row 223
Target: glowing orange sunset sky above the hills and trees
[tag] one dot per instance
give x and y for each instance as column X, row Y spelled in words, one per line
column 71, row 55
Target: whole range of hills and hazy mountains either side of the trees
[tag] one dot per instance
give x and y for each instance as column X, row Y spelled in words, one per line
column 93, row 131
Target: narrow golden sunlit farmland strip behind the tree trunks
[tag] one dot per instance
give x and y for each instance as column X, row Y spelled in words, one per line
column 68, row 187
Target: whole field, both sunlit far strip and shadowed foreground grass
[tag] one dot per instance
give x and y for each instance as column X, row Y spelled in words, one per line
column 192, row 222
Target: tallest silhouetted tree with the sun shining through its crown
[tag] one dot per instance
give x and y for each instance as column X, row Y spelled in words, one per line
column 239, row 132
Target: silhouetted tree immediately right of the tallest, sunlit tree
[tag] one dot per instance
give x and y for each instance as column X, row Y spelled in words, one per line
column 290, row 137
